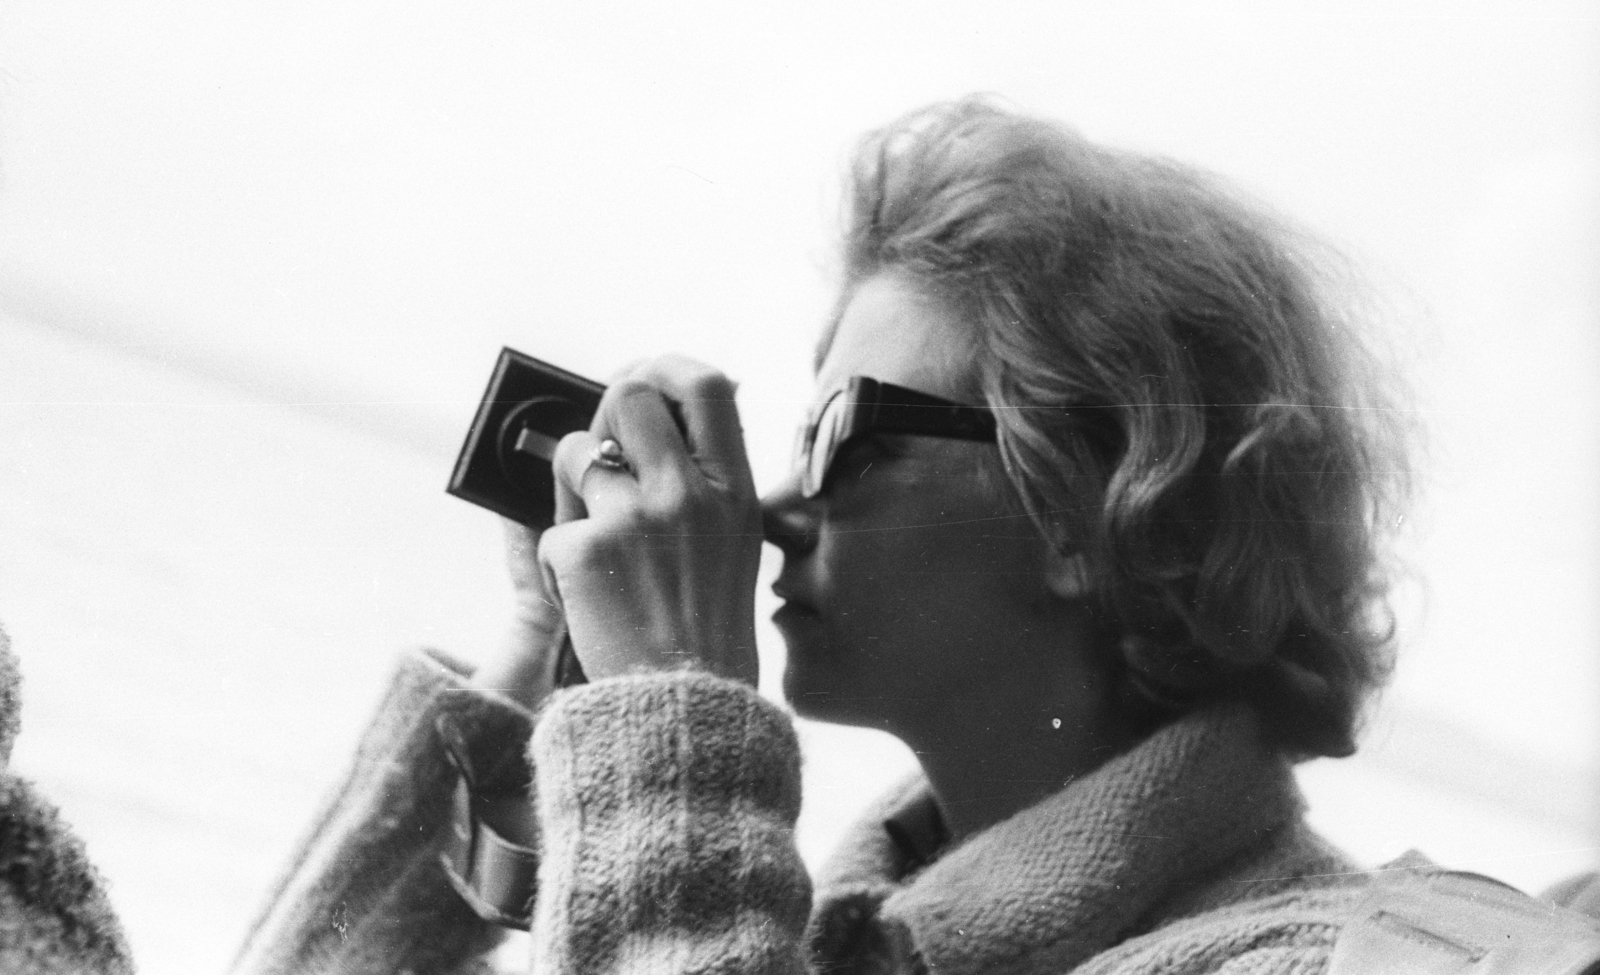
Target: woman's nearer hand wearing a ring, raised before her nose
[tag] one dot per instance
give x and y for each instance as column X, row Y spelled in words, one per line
column 655, row 566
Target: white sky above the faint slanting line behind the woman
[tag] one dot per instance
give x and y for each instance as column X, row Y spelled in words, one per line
column 350, row 207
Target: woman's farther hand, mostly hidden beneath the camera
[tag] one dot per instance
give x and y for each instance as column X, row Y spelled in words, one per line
column 526, row 665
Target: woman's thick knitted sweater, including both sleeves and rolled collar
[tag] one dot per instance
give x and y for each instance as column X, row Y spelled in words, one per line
column 666, row 808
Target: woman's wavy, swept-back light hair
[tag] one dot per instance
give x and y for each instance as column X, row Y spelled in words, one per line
column 1180, row 399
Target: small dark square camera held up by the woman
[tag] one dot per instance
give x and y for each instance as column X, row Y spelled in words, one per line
column 527, row 409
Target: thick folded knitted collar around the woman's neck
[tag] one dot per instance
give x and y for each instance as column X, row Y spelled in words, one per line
column 1079, row 872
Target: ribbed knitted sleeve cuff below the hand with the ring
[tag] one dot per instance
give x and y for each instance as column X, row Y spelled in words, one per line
column 668, row 808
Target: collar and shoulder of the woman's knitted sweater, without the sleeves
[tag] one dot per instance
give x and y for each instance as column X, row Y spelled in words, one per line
column 1180, row 856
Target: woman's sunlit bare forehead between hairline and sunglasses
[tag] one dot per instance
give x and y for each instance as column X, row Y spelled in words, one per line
column 892, row 331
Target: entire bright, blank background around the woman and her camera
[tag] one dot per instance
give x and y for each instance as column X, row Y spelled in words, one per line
column 348, row 207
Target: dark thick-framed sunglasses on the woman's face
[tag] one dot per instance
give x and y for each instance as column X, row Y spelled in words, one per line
column 866, row 406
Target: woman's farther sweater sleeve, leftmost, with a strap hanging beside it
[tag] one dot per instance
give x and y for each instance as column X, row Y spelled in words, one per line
column 366, row 893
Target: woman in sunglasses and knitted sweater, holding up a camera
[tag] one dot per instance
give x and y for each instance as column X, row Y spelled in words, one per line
column 1087, row 515
